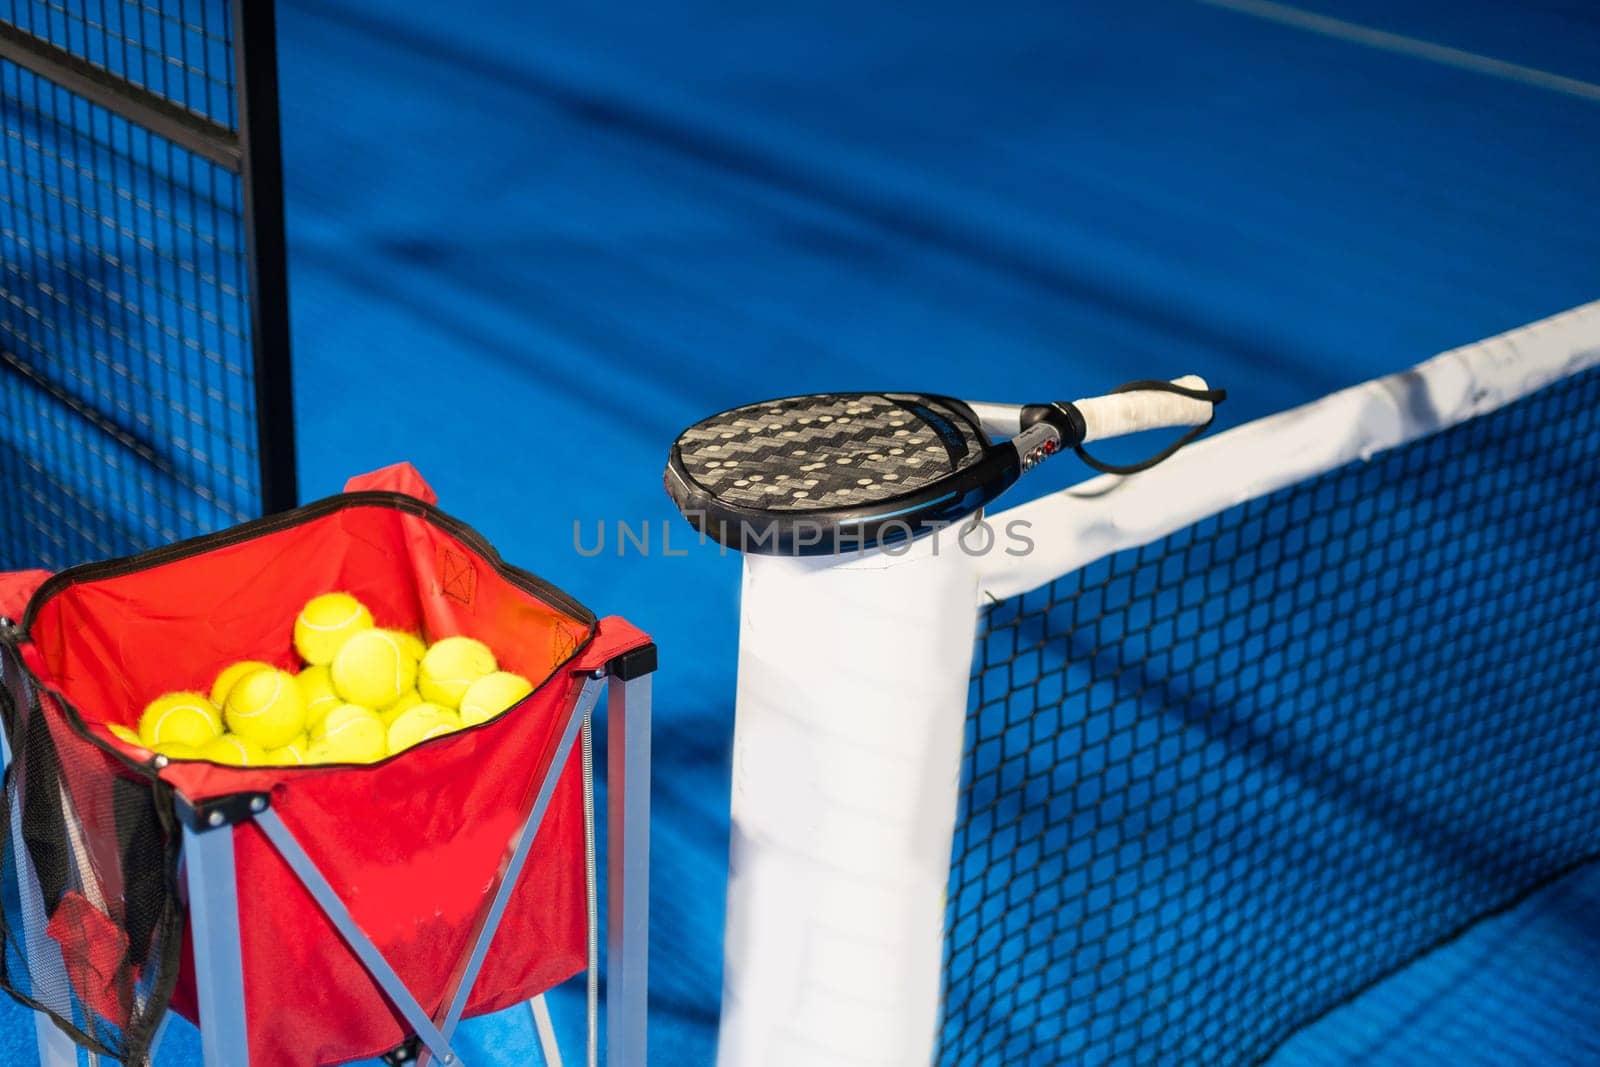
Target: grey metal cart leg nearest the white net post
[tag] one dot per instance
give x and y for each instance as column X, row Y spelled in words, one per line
column 628, row 858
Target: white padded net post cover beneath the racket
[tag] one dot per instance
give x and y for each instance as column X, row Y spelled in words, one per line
column 846, row 769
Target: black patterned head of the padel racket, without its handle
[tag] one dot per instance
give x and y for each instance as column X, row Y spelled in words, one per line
column 828, row 473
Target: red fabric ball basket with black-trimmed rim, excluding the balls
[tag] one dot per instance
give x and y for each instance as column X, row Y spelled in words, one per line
column 414, row 844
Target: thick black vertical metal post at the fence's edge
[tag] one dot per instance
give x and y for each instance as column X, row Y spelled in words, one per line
column 257, row 76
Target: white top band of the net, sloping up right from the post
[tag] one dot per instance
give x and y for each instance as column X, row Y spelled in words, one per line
column 1113, row 513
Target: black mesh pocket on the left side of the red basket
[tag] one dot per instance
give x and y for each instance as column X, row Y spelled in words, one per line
column 92, row 921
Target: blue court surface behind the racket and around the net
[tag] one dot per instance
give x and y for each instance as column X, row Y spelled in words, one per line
column 534, row 242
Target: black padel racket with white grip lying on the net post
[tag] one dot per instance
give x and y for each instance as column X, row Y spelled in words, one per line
column 839, row 473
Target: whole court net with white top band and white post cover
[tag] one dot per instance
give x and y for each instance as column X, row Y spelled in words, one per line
column 1242, row 737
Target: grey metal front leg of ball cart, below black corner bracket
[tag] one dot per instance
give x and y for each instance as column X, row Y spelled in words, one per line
column 220, row 970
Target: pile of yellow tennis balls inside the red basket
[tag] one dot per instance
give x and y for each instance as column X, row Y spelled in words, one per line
column 366, row 693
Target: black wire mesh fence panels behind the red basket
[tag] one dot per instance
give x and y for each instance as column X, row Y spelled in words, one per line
column 127, row 391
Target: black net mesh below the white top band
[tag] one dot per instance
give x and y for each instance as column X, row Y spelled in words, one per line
column 1218, row 785
